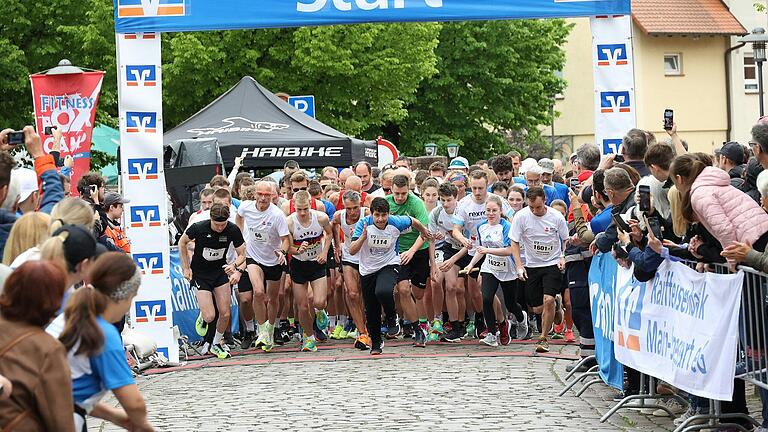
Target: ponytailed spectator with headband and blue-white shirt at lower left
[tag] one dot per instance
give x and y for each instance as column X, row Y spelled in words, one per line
column 96, row 352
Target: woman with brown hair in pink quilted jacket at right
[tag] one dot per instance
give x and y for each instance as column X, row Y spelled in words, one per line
column 709, row 198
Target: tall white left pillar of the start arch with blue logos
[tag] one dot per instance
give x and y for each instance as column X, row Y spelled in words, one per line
column 143, row 182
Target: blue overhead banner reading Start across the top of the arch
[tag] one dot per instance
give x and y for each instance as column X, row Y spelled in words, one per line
column 137, row 16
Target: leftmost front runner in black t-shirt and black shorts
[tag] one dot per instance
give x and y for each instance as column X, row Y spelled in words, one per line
column 209, row 269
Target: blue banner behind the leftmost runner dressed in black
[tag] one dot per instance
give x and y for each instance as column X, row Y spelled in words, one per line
column 185, row 308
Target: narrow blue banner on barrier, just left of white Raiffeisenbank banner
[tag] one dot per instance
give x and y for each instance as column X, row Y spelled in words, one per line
column 602, row 280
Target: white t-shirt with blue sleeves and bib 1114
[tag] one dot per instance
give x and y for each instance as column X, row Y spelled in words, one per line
column 380, row 249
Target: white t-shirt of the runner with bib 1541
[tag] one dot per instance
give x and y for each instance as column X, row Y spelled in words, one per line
column 542, row 236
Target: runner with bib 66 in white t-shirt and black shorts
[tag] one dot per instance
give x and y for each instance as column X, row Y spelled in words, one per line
column 267, row 245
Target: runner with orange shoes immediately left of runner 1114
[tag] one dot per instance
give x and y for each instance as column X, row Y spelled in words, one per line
column 343, row 228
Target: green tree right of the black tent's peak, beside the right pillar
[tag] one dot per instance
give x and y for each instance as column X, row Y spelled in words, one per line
column 494, row 77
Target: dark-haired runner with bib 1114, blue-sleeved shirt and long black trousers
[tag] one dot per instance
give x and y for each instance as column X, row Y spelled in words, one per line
column 376, row 238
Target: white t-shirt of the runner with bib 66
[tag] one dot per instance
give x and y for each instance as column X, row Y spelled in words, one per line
column 264, row 230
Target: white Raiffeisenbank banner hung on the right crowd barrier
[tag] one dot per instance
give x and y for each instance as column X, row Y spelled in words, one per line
column 681, row 327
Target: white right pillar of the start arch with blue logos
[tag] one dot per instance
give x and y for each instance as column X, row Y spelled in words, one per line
column 614, row 80
